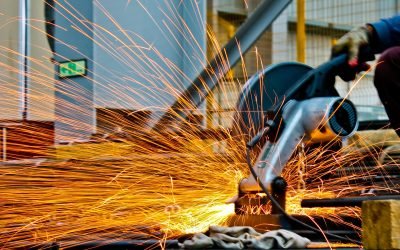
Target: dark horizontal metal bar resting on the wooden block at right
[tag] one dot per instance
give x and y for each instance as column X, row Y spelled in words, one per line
column 345, row 201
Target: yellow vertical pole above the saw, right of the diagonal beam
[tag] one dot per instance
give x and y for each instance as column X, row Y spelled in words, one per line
column 301, row 31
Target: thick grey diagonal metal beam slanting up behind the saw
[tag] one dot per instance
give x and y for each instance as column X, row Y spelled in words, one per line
column 248, row 33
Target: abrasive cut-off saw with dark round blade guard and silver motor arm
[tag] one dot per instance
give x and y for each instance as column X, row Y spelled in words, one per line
column 294, row 104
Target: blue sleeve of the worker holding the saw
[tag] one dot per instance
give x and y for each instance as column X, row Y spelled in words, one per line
column 388, row 33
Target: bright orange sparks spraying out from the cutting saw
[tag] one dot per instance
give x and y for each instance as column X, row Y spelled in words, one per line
column 130, row 183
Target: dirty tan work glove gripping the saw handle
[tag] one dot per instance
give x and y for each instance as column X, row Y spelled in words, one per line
column 351, row 43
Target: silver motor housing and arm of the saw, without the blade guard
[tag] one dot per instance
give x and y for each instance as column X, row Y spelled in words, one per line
column 314, row 120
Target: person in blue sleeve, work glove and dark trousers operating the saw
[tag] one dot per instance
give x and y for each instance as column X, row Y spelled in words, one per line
column 379, row 37
